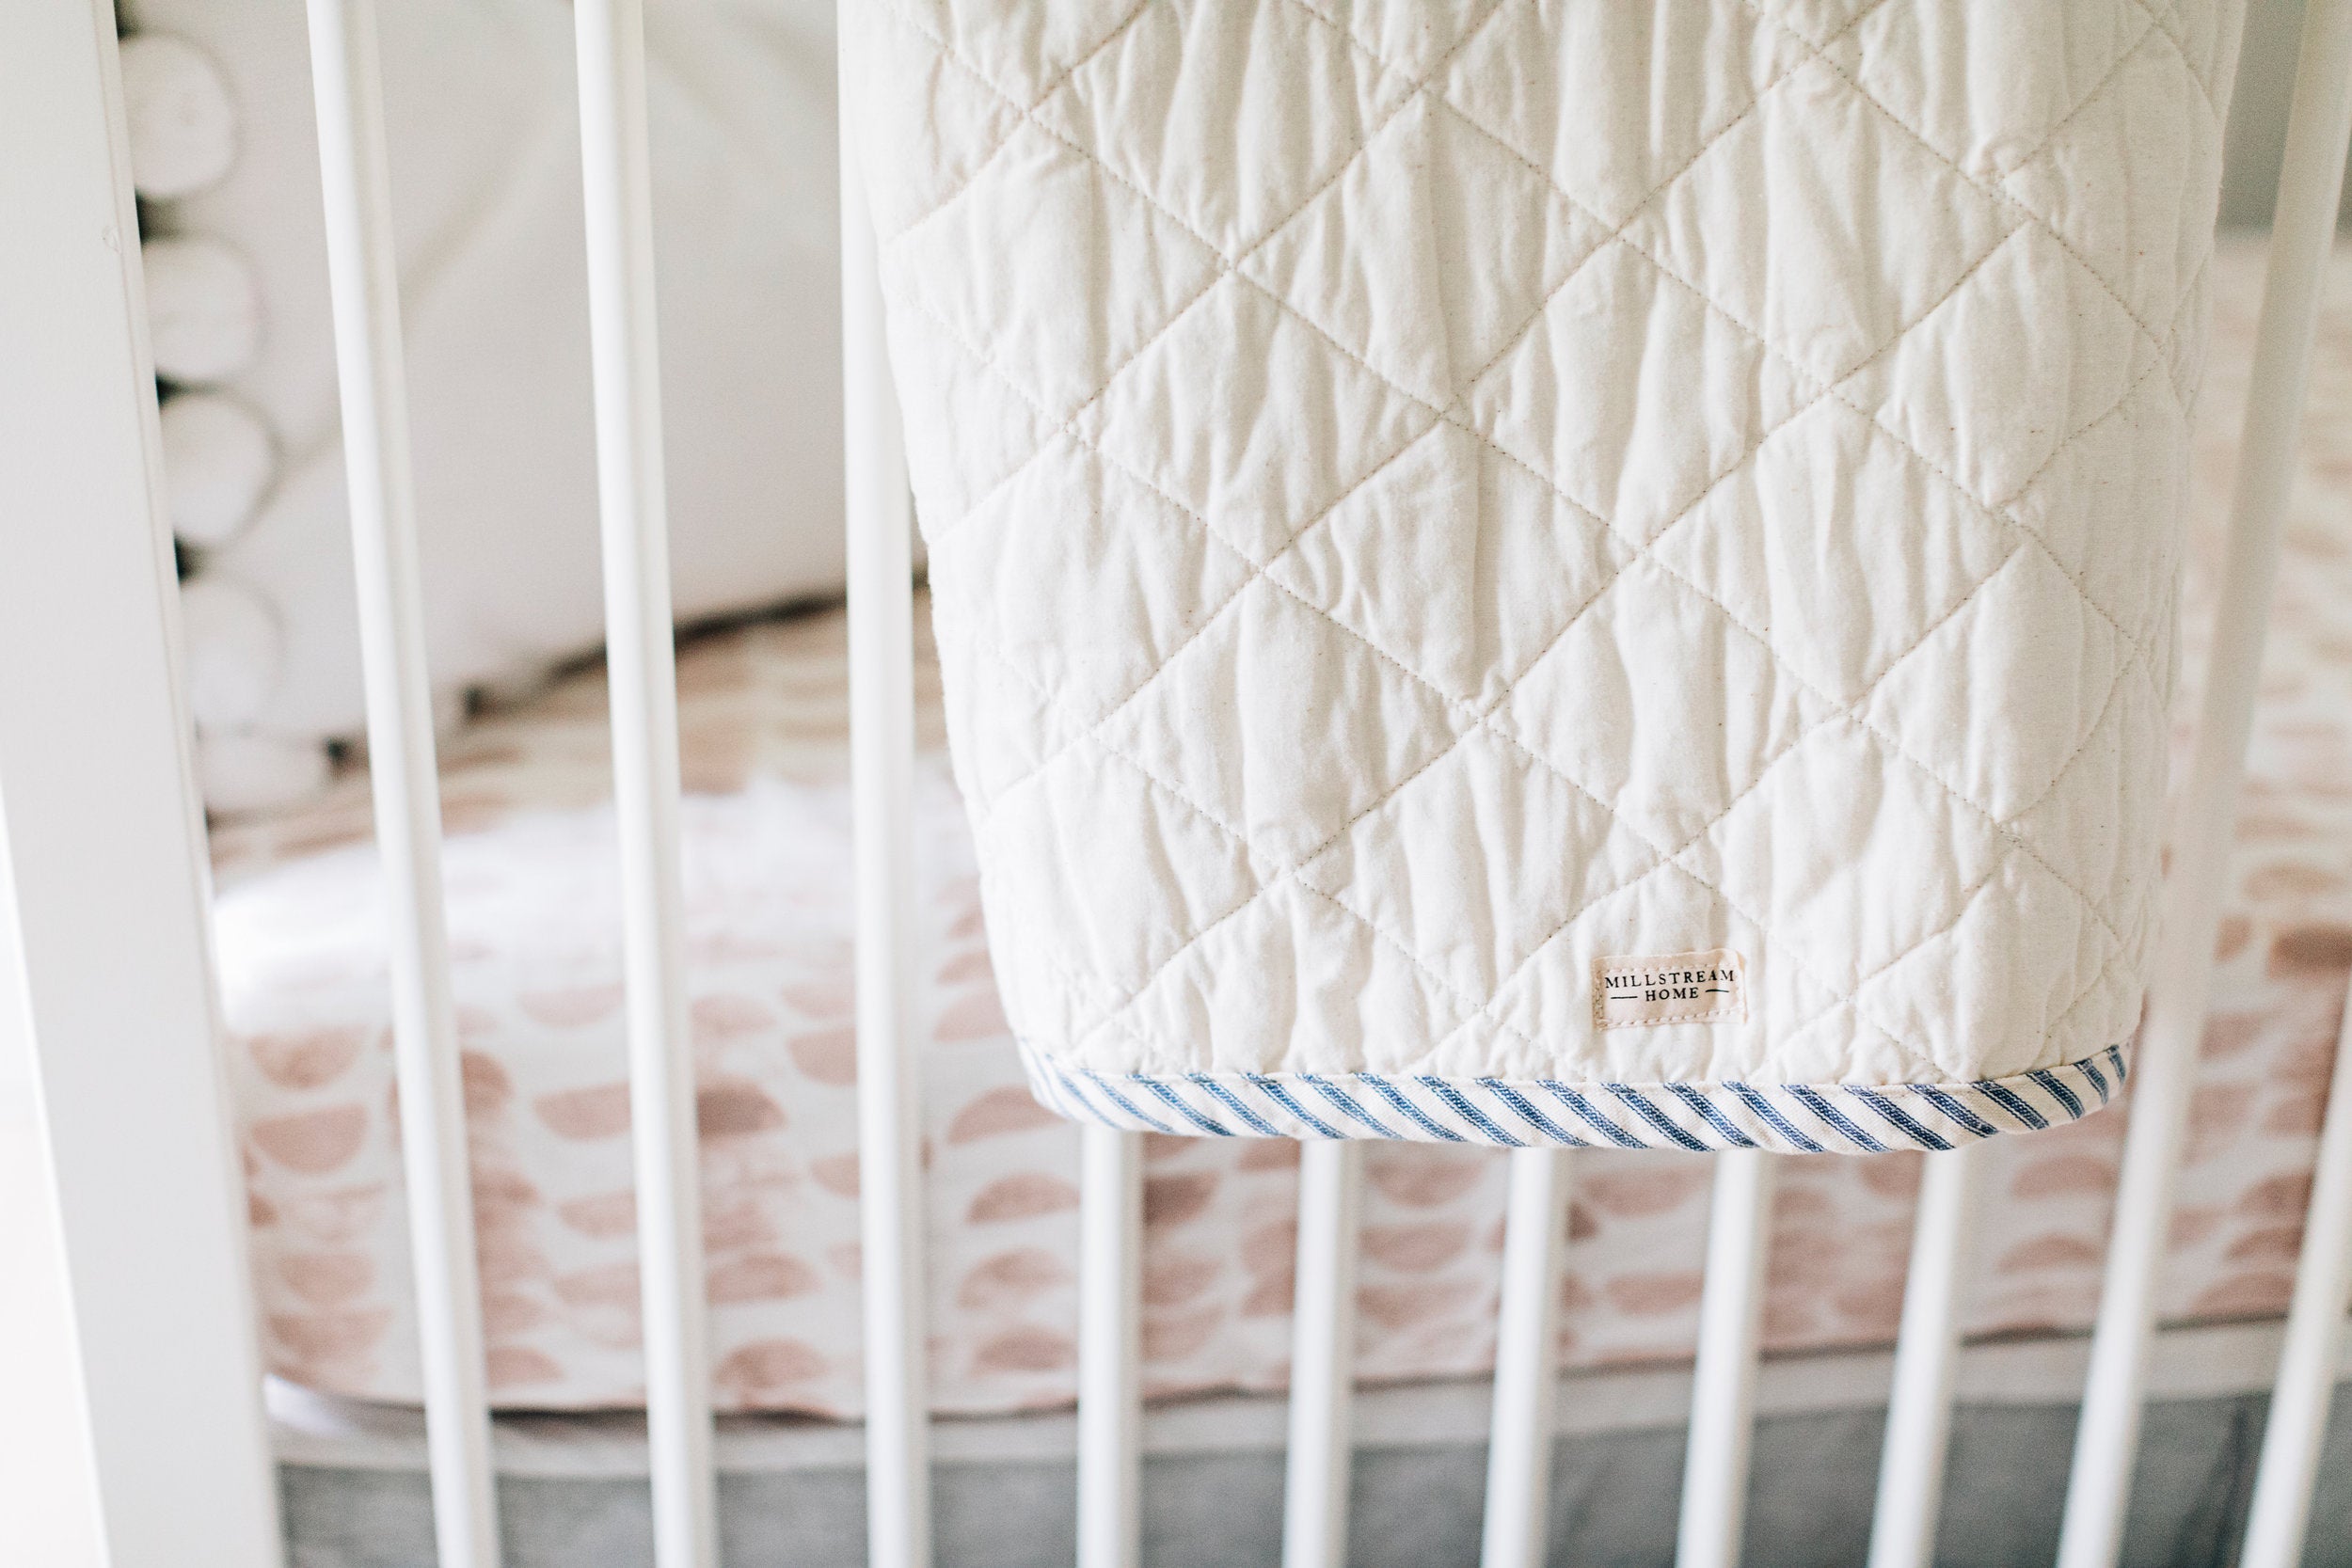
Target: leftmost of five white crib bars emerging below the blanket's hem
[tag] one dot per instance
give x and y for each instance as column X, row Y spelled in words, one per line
column 1111, row 1351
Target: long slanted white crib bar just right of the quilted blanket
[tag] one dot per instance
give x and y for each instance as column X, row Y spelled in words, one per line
column 2304, row 227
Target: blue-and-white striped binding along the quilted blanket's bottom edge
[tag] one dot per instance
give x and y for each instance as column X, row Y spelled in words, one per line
column 1537, row 1113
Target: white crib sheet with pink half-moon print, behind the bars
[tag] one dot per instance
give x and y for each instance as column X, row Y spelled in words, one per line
column 535, row 934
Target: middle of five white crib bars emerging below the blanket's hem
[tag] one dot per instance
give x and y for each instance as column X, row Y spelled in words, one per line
column 1525, row 1362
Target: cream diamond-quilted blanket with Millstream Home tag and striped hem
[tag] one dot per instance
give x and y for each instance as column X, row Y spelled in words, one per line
column 1556, row 572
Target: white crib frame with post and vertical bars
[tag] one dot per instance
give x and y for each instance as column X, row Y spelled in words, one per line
column 138, row 1435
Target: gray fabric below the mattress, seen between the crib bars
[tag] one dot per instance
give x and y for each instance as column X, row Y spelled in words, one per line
column 1612, row 1503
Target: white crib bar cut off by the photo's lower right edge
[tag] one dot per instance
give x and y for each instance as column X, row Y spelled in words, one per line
column 2316, row 1334
